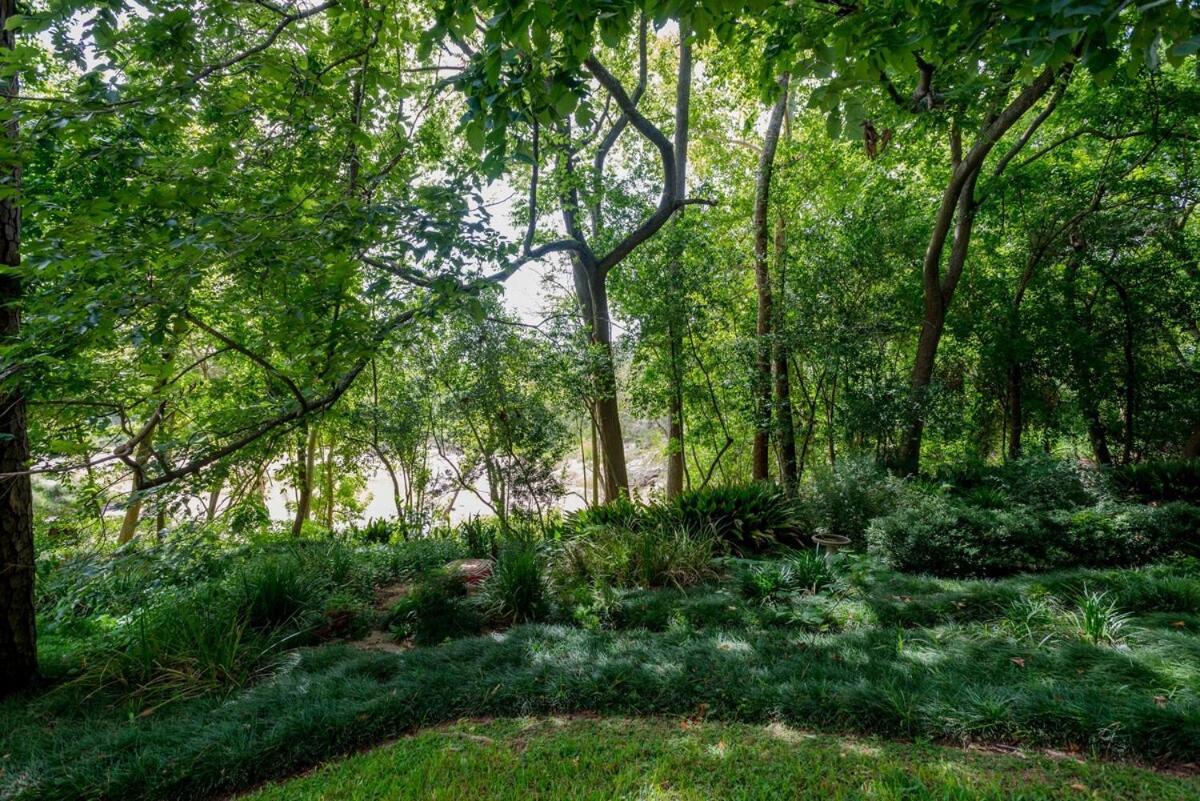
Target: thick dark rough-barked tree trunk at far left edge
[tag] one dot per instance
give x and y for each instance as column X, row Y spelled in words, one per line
column 19, row 648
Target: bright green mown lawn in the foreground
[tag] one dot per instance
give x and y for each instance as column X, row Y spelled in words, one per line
column 620, row 758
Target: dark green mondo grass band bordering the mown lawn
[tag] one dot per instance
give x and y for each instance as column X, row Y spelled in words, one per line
column 914, row 658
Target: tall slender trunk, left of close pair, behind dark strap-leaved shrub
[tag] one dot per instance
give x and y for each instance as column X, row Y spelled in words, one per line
column 760, row 453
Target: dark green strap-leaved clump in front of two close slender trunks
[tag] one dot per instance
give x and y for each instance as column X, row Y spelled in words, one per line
column 748, row 519
